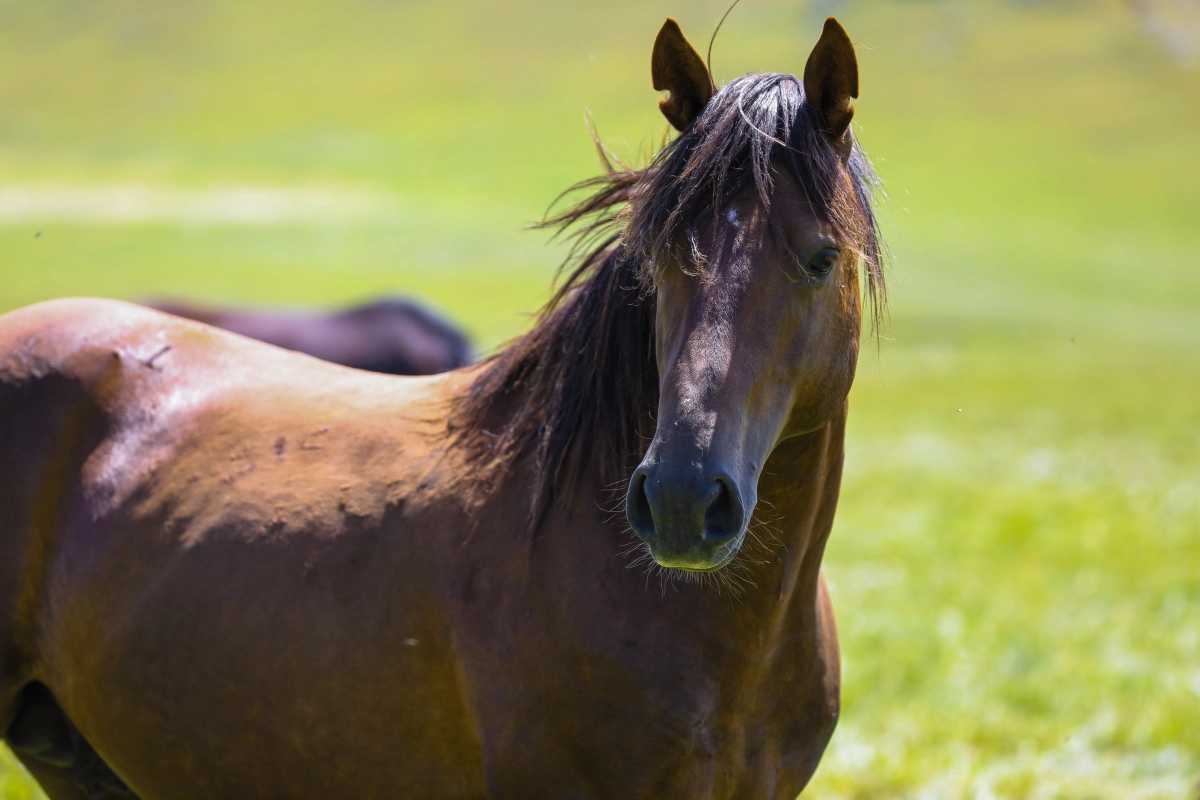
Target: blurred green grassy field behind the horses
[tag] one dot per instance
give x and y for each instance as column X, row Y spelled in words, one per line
column 1017, row 560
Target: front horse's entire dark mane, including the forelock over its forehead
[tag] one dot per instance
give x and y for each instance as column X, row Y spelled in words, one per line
column 580, row 389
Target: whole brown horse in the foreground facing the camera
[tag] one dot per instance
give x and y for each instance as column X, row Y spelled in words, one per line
column 231, row 572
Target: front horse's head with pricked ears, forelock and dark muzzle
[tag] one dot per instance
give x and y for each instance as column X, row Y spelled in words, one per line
column 754, row 227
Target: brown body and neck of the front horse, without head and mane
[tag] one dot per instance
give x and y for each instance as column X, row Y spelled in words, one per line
column 244, row 574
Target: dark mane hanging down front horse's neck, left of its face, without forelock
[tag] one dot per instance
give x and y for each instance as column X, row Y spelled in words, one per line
column 581, row 386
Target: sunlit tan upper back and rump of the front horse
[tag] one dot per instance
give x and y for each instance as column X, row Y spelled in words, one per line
column 100, row 399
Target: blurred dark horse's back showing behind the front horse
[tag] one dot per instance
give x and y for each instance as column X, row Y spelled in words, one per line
column 393, row 335
